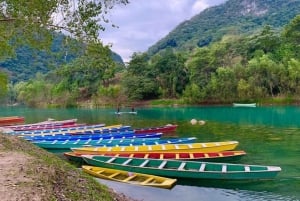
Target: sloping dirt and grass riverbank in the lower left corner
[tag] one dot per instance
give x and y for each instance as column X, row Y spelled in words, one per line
column 30, row 173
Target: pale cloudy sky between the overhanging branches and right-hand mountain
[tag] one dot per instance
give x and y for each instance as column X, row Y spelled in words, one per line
column 142, row 23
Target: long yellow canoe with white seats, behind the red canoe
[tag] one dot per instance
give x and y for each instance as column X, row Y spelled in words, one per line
column 162, row 148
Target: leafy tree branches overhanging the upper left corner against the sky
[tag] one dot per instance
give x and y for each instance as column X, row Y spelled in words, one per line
column 33, row 21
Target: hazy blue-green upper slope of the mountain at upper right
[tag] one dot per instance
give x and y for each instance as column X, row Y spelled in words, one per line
column 232, row 17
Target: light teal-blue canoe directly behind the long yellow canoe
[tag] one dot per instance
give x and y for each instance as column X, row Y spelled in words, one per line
column 67, row 144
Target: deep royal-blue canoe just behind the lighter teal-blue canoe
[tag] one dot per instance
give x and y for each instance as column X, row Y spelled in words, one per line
column 116, row 135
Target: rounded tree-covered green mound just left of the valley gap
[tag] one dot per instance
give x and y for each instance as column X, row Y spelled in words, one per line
column 86, row 74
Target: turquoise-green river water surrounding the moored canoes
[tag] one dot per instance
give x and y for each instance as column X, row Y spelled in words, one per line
column 269, row 135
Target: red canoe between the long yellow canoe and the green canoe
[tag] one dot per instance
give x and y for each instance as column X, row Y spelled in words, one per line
column 213, row 156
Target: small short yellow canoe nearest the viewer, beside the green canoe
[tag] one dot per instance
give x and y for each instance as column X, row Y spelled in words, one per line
column 130, row 177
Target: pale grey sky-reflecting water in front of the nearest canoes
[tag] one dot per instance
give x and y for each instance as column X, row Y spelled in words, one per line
column 192, row 193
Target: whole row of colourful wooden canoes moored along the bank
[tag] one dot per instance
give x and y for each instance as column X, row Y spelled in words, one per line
column 145, row 156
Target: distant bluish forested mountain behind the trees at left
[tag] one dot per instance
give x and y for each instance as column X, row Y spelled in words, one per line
column 29, row 61
